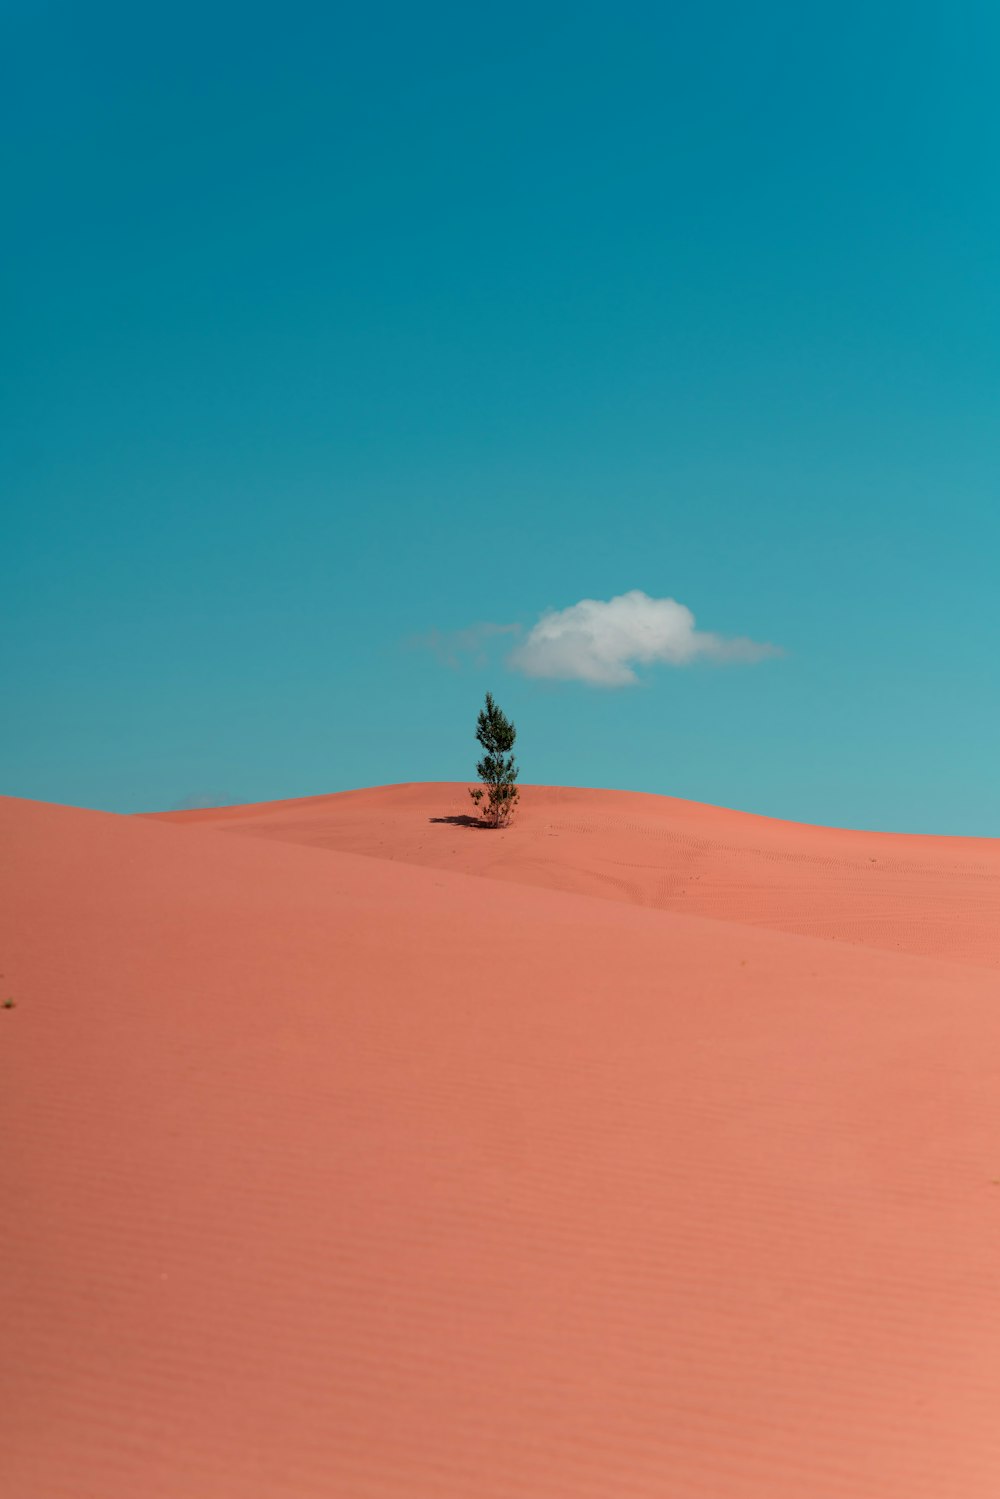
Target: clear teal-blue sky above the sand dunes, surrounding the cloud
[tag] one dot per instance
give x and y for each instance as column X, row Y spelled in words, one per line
column 335, row 332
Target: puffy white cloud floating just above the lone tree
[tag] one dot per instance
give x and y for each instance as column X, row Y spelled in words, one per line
column 602, row 641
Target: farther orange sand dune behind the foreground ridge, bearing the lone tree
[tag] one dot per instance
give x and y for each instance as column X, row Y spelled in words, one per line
column 939, row 897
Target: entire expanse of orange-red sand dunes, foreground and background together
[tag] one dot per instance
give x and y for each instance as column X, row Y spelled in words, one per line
column 326, row 1174
